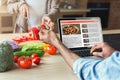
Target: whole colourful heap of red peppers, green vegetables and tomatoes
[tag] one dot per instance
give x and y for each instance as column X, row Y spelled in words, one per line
column 27, row 55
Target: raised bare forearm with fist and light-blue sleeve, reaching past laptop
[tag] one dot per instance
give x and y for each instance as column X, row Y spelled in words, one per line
column 84, row 68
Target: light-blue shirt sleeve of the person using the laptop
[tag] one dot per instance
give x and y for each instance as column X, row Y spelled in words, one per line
column 91, row 69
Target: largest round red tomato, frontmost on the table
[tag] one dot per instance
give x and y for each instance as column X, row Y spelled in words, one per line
column 24, row 62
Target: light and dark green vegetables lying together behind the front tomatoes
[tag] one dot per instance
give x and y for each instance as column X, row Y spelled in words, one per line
column 29, row 49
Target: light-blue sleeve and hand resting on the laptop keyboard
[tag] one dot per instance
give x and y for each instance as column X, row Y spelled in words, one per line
column 91, row 69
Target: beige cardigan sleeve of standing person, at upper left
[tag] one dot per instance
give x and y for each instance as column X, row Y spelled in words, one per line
column 13, row 5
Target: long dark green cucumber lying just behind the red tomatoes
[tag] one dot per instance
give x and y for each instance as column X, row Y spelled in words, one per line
column 29, row 53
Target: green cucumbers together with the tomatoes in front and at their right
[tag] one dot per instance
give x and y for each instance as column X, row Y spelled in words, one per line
column 31, row 53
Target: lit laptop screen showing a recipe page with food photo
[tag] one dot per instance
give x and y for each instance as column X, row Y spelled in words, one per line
column 80, row 33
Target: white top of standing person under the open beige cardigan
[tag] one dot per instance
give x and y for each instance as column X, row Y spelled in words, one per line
column 37, row 9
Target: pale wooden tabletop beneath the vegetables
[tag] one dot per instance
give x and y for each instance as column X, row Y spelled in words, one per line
column 52, row 67
